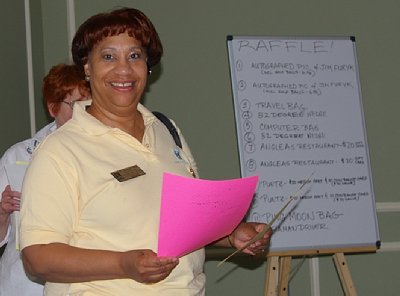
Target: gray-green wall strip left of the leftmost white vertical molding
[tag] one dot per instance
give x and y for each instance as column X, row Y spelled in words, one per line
column 14, row 110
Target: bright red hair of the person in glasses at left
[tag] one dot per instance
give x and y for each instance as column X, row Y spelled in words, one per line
column 61, row 81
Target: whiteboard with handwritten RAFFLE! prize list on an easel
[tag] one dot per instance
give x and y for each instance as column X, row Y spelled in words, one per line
column 298, row 110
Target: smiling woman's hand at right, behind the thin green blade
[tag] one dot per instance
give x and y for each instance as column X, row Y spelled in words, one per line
column 245, row 232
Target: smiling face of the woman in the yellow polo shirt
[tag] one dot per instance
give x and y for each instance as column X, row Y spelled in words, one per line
column 117, row 67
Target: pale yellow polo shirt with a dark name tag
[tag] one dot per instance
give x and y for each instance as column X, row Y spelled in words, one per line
column 70, row 196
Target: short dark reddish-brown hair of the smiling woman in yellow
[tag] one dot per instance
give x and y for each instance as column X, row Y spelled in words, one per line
column 123, row 20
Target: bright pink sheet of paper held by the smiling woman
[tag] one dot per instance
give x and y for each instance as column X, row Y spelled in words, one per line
column 197, row 212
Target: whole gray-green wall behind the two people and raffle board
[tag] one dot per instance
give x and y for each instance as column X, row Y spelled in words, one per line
column 192, row 85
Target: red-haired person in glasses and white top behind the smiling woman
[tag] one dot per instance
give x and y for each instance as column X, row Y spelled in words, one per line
column 62, row 87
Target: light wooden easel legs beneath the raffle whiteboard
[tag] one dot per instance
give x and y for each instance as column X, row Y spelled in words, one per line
column 278, row 270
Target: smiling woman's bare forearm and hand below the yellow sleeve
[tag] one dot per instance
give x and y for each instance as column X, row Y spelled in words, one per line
column 57, row 262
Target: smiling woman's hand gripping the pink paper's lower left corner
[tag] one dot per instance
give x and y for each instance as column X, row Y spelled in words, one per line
column 145, row 267
